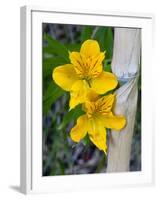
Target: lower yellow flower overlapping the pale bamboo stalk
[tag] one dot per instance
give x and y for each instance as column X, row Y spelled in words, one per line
column 98, row 117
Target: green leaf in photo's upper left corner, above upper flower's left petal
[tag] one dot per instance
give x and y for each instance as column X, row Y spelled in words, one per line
column 55, row 47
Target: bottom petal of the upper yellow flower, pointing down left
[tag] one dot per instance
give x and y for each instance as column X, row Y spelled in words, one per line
column 78, row 93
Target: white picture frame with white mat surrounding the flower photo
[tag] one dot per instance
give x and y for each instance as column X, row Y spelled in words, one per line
column 31, row 96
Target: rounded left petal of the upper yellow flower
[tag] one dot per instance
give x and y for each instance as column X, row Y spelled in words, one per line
column 65, row 76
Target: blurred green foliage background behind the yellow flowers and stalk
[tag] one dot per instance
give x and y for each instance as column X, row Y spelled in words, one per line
column 60, row 155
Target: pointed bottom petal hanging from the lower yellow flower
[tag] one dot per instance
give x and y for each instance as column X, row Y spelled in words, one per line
column 97, row 134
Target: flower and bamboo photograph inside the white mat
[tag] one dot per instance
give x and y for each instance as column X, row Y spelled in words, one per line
column 83, row 120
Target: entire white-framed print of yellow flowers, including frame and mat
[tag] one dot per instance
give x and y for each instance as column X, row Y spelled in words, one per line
column 86, row 114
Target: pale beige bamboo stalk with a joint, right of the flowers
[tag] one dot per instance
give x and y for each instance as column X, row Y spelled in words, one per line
column 125, row 65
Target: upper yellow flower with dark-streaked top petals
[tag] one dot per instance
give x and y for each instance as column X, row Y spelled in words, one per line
column 84, row 72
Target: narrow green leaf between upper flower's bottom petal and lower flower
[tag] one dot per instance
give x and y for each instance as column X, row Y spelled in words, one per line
column 71, row 115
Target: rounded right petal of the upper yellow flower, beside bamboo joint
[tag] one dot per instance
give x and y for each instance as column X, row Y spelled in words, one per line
column 104, row 82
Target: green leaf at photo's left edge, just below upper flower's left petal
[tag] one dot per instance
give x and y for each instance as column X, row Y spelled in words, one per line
column 52, row 93
